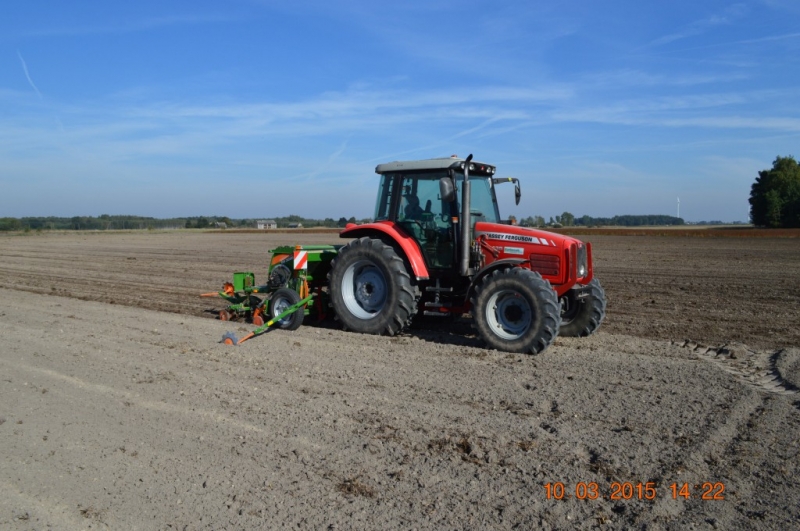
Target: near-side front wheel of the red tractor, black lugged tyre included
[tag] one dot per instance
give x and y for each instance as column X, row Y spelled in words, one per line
column 516, row 310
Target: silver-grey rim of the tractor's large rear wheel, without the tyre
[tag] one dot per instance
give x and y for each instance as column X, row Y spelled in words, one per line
column 364, row 289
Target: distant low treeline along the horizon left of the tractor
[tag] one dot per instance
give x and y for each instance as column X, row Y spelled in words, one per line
column 109, row 222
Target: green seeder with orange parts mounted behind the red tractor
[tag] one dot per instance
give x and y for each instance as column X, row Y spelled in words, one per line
column 294, row 289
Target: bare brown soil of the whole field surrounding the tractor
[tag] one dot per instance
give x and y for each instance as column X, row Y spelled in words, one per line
column 120, row 409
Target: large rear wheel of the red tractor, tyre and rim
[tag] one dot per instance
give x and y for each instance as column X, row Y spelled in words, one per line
column 371, row 290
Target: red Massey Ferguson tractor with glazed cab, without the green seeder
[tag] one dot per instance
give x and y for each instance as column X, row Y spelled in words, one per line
column 435, row 251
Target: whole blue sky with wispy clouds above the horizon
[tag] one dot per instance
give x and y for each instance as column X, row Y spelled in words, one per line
column 252, row 108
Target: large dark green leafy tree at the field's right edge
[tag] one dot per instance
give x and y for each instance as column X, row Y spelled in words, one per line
column 775, row 196
